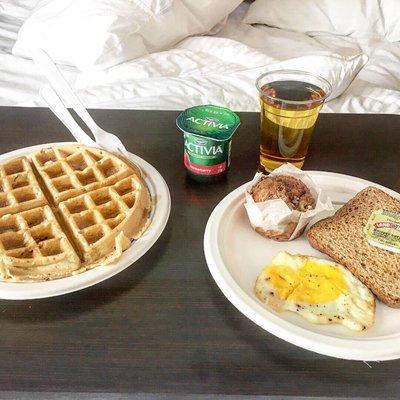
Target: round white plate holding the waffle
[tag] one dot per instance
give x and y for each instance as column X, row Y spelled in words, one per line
column 162, row 205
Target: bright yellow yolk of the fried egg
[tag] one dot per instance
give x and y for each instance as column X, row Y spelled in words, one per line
column 312, row 283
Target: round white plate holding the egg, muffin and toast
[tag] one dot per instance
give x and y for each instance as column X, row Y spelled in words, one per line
column 236, row 254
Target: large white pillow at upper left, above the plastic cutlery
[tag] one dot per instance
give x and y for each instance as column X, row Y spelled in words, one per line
column 97, row 34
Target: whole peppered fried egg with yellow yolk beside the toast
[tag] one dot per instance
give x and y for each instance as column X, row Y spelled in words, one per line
column 321, row 291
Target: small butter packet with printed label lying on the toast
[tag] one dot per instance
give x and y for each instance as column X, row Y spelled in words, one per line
column 383, row 230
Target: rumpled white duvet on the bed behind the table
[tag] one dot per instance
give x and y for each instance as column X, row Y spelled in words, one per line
column 218, row 69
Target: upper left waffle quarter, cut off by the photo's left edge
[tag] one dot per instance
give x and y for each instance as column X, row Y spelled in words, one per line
column 19, row 188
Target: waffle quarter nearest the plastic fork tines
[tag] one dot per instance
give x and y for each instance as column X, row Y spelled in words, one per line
column 72, row 170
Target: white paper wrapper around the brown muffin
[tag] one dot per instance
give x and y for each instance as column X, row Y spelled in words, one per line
column 276, row 217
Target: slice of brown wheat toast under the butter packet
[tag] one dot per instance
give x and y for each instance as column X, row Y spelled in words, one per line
column 342, row 238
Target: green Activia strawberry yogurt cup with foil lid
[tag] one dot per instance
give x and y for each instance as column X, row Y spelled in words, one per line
column 207, row 132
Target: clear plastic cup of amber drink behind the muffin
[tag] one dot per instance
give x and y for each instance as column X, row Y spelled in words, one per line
column 290, row 103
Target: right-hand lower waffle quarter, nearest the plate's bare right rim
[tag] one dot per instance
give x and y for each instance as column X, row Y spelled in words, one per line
column 98, row 219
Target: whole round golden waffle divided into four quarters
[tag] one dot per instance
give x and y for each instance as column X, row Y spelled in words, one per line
column 83, row 210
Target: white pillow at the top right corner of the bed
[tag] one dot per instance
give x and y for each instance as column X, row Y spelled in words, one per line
column 357, row 18
